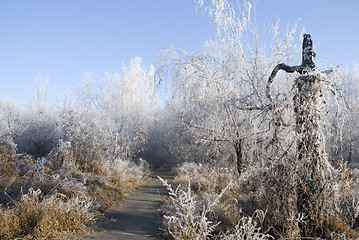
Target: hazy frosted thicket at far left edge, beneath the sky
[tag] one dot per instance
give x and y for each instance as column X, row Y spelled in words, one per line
column 29, row 130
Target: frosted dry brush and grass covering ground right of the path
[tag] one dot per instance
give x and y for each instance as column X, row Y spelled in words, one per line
column 262, row 202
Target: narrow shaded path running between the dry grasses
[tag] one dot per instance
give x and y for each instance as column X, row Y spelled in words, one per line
column 137, row 216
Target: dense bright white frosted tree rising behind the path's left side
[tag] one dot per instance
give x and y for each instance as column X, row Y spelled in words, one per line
column 121, row 107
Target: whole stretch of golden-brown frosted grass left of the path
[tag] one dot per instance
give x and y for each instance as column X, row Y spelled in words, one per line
column 69, row 199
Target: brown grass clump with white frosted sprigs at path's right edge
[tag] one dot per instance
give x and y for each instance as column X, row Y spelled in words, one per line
column 202, row 203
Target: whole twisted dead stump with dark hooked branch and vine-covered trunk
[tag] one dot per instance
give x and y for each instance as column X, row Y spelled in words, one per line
column 313, row 170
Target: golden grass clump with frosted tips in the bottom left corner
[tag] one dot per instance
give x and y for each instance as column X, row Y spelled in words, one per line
column 36, row 215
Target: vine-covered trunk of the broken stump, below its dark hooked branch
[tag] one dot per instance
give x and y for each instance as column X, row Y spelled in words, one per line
column 310, row 153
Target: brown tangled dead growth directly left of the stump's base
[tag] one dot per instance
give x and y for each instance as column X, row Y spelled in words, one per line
column 273, row 190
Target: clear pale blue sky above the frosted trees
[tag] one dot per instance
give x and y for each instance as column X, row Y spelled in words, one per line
column 61, row 39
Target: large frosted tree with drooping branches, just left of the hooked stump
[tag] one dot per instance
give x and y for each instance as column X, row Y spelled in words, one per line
column 218, row 94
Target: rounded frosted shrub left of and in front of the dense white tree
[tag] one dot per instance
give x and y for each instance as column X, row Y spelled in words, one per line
column 83, row 144
